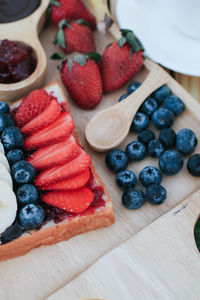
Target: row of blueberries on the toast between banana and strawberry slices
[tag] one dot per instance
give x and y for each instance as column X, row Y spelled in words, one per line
column 30, row 214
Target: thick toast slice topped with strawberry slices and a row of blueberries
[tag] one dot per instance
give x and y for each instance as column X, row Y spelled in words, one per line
column 57, row 191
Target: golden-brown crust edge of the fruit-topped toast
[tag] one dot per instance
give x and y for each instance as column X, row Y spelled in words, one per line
column 64, row 230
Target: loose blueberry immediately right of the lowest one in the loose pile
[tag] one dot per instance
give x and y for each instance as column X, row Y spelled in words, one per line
column 155, row 194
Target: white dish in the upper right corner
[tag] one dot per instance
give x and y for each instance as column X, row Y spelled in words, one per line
column 162, row 33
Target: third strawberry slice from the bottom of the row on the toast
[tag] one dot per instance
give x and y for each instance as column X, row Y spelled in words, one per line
column 75, row 167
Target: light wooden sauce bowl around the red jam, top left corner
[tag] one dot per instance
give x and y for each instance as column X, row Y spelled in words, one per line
column 26, row 31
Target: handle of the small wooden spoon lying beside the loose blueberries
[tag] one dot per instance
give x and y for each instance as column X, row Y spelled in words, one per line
column 155, row 79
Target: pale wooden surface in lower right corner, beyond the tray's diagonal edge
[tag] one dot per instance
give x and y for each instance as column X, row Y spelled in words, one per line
column 160, row 262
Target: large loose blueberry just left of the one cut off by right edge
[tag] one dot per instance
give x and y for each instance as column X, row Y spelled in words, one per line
column 171, row 162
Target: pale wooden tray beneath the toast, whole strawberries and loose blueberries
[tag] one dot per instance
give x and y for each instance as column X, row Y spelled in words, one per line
column 45, row 270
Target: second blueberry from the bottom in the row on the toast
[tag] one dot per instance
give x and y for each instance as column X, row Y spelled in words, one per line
column 27, row 193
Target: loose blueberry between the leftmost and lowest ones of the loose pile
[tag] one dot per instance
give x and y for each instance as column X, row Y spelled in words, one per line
column 126, row 179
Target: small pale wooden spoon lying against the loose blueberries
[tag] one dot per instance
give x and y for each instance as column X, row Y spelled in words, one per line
column 108, row 128
